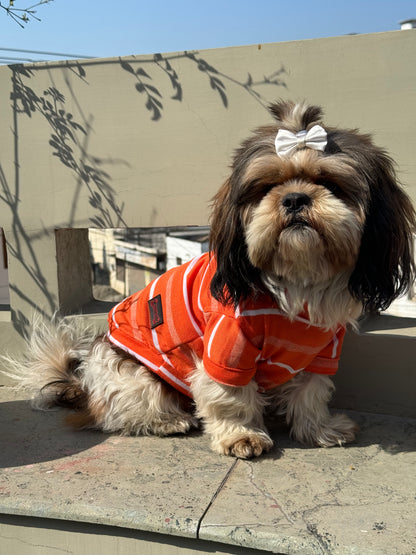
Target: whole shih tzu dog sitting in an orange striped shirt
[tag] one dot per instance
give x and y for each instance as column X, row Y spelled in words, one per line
column 310, row 230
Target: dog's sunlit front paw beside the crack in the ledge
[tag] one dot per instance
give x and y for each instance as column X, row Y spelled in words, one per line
column 243, row 445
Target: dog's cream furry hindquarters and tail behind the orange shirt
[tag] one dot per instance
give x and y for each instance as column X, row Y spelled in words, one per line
column 123, row 396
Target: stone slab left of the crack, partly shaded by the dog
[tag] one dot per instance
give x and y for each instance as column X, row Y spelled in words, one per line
column 146, row 483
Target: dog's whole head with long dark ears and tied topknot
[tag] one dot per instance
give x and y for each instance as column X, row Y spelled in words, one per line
column 307, row 215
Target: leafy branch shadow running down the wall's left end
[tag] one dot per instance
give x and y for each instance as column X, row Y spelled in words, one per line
column 68, row 141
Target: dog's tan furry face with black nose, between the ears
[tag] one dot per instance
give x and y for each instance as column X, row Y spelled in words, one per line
column 305, row 218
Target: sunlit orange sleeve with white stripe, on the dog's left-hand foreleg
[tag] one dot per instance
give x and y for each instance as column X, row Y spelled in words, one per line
column 229, row 357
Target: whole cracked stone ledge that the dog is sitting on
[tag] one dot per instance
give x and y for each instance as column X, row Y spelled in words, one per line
column 354, row 499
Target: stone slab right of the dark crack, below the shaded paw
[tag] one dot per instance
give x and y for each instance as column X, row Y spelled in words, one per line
column 354, row 499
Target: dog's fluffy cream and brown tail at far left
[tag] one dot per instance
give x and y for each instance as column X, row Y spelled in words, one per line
column 51, row 366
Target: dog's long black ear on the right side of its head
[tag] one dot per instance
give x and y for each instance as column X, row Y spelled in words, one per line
column 385, row 268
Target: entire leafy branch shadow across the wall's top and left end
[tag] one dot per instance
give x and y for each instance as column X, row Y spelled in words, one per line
column 68, row 141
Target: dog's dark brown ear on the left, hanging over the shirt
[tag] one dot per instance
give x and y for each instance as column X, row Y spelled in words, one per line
column 235, row 277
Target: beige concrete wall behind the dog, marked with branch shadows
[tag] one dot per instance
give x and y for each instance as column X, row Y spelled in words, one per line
column 146, row 141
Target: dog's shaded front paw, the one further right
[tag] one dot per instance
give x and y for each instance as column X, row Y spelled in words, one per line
column 339, row 429
